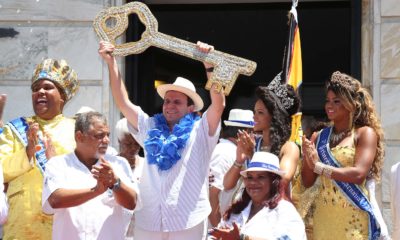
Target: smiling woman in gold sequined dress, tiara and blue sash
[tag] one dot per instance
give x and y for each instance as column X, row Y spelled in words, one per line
column 349, row 152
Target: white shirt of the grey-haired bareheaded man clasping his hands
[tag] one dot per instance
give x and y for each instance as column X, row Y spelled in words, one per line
column 98, row 218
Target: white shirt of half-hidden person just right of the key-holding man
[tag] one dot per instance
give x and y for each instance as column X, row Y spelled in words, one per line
column 222, row 159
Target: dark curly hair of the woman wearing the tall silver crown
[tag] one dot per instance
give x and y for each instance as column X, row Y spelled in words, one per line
column 281, row 118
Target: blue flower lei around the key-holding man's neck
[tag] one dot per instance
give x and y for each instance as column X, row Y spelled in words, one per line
column 162, row 147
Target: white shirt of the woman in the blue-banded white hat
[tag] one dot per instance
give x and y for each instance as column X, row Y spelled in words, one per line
column 284, row 220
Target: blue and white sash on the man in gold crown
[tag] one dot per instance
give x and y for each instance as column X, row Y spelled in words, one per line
column 19, row 126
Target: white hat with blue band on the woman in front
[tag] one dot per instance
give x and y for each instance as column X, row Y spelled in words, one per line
column 263, row 161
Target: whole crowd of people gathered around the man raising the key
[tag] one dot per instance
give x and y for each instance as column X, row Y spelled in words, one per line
column 195, row 179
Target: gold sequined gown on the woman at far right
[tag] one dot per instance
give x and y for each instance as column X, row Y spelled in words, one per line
column 335, row 217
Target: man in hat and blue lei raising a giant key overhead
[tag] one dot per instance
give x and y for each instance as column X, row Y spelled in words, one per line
column 178, row 146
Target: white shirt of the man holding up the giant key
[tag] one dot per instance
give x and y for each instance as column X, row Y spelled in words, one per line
column 175, row 199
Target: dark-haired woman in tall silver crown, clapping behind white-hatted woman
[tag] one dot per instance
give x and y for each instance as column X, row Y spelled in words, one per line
column 273, row 109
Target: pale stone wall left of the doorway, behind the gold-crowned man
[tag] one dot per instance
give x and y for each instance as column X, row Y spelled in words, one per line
column 55, row 29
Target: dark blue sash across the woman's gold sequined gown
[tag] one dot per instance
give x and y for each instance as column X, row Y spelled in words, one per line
column 352, row 192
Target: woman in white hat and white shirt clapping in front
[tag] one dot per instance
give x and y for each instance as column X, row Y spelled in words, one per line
column 261, row 213
